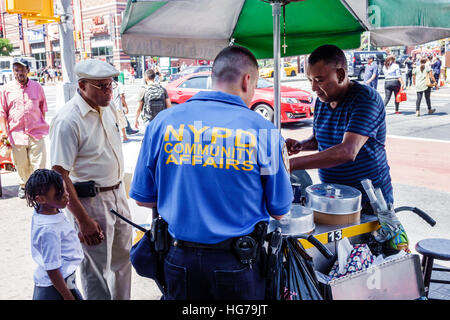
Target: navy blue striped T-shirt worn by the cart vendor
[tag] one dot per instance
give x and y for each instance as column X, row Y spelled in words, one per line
column 362, row 112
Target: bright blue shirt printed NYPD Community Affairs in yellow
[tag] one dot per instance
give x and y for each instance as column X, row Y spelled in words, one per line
column 214, row 167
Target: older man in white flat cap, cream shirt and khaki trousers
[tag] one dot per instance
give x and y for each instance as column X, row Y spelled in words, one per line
column 86, row 149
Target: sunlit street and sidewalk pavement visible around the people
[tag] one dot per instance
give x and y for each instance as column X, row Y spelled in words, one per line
column 418, row 154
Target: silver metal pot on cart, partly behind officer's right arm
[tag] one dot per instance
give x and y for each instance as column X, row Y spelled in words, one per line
column 299, row 220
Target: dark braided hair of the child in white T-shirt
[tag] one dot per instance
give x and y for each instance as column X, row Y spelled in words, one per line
column 40, row 183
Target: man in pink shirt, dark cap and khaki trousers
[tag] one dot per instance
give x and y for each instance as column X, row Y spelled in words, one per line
column 22, row 120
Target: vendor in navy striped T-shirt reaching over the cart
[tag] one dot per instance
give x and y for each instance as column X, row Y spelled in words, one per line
column 349, row 128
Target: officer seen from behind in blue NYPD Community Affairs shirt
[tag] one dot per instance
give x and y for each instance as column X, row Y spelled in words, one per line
column 214, row 170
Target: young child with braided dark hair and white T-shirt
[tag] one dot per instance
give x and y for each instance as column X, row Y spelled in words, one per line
column 55, row 245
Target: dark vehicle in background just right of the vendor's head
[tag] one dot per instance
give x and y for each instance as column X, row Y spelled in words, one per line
column 357, row 61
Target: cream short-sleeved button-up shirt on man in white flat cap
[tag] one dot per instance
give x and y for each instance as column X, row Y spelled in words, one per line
column 87, row 143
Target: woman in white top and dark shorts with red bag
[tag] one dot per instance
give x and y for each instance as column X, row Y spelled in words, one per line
column 392, row 81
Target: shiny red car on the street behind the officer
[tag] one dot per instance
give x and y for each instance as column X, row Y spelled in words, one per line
column 296, row 104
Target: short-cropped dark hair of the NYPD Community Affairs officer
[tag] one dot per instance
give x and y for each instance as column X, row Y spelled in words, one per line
column 231, row 63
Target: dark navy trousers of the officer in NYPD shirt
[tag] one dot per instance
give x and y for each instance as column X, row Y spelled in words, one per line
column 211, row 274
